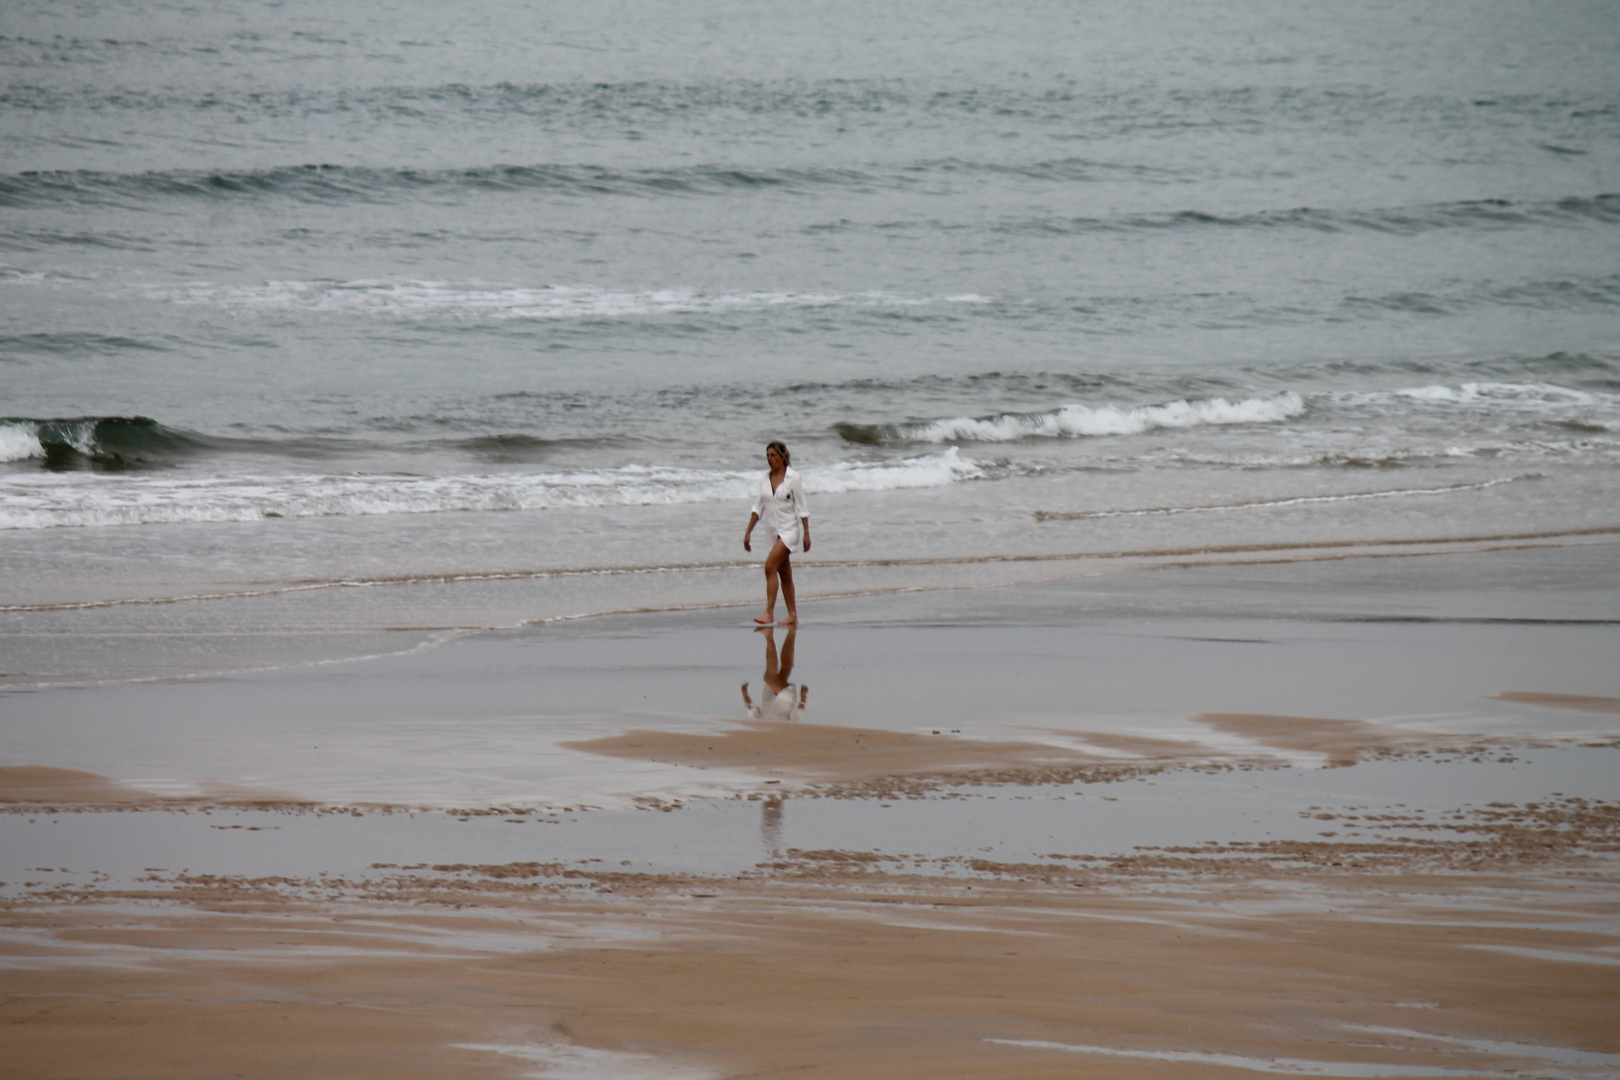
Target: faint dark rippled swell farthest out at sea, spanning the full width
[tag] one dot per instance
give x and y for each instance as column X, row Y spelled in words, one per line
column 1062, row 109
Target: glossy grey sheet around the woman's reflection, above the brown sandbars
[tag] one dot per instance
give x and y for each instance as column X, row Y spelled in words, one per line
column 1418, row 645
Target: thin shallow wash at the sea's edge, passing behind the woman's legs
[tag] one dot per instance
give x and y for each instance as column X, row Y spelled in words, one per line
column 383, row 627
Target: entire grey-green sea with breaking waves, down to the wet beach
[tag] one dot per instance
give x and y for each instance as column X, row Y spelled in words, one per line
column 386, row 318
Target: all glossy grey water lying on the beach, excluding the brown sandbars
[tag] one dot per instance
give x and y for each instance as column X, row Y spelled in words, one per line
column 480, row 725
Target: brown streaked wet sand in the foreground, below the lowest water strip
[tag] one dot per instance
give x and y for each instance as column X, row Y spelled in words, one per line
column 830, row 967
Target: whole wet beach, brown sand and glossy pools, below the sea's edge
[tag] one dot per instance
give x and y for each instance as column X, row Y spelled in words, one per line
column 1285, row 820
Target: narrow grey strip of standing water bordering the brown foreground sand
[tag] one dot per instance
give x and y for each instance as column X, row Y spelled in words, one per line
column 1250, row 814
